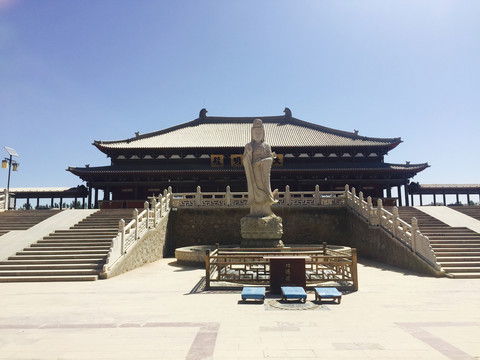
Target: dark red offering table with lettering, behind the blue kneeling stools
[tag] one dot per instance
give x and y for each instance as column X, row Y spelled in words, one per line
column 286, row 271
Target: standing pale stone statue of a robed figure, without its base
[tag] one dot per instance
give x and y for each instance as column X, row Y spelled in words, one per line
column 257, row 160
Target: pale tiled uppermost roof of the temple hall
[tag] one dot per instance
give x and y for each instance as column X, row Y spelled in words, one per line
column 219, row 132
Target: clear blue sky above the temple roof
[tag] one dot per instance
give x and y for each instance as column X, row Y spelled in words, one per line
column 72, row 72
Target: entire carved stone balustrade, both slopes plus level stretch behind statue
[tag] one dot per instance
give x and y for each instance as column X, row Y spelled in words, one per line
column 158, row 207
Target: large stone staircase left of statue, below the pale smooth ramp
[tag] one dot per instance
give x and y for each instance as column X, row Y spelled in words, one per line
column 76, row 254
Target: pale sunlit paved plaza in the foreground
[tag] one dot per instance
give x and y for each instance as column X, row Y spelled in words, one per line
column 159, row 312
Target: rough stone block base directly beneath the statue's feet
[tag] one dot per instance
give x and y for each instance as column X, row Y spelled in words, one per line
column 261, row 231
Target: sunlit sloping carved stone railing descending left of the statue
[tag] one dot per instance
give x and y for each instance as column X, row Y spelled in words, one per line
column 138, row 227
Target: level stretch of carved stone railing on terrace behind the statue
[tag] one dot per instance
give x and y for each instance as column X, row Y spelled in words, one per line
column 239, row 199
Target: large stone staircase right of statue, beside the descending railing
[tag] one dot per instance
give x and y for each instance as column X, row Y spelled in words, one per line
column 457, row 248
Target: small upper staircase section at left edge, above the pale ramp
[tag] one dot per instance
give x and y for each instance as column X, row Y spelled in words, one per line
column 22, row 219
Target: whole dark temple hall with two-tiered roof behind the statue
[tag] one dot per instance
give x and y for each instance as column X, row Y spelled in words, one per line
column 208, row 152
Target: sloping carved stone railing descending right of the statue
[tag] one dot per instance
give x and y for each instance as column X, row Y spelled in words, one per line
column 407, row 234
